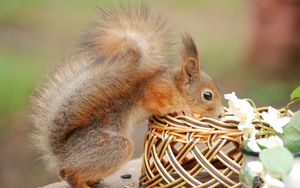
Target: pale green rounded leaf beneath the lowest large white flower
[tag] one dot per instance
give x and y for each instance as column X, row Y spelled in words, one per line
column 277, row 161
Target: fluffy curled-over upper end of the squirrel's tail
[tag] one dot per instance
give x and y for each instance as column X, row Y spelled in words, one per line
column 121, row 29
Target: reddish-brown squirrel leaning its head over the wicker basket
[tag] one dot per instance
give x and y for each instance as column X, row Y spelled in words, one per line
column 123, row 74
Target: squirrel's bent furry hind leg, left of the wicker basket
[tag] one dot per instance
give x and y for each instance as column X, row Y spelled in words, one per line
column 101, row 155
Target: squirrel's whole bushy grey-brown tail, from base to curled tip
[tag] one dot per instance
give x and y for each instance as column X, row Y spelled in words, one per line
column 118, row 31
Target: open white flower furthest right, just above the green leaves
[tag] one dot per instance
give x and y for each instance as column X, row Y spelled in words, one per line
column 274, row 119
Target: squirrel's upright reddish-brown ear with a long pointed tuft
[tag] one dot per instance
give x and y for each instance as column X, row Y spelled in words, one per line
column 189, row 53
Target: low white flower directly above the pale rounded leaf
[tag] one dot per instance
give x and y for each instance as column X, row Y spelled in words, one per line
column 270, row 142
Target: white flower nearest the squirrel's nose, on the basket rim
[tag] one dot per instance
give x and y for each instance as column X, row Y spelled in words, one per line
column 242, row 109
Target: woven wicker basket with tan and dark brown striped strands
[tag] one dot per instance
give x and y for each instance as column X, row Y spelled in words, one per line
column 181, row 151
